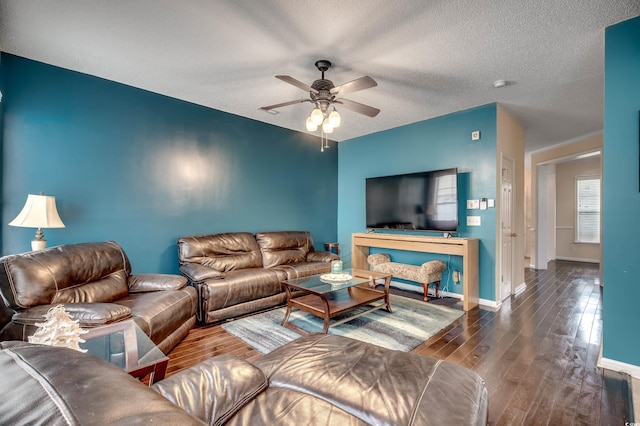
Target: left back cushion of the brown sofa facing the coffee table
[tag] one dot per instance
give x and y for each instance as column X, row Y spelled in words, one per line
column 222, row 252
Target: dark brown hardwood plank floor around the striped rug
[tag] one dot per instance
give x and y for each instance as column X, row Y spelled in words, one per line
column 537, row 354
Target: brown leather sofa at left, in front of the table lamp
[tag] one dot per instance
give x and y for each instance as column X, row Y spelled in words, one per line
column 94, row 283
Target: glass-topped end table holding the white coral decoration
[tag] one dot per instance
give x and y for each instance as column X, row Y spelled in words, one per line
column 125, row 345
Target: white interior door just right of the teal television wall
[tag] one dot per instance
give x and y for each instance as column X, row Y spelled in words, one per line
column 507, row 235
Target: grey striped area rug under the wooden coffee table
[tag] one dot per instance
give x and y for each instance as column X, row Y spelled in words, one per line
column 411, row 323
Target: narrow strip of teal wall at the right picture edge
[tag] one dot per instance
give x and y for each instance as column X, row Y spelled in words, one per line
column 621, row 196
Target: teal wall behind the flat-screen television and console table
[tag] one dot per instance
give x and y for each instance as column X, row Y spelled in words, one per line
column 438, row 143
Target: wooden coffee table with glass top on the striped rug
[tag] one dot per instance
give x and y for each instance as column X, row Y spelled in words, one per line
column 329, row 299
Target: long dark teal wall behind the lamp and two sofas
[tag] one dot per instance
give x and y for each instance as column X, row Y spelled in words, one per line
column 144, row 169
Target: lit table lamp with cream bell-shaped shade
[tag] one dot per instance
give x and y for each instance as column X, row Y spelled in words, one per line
column 39, row 212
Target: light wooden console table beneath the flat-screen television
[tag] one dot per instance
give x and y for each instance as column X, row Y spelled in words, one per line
column 465, row 247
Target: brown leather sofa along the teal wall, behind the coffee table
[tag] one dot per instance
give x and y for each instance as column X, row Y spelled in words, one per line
column 238, row 273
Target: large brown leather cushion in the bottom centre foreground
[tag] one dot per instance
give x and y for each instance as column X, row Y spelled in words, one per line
column 402, row 390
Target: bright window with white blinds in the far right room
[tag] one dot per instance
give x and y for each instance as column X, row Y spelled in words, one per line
column 588, row 209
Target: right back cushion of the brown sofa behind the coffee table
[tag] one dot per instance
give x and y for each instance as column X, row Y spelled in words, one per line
column 285, row 247
